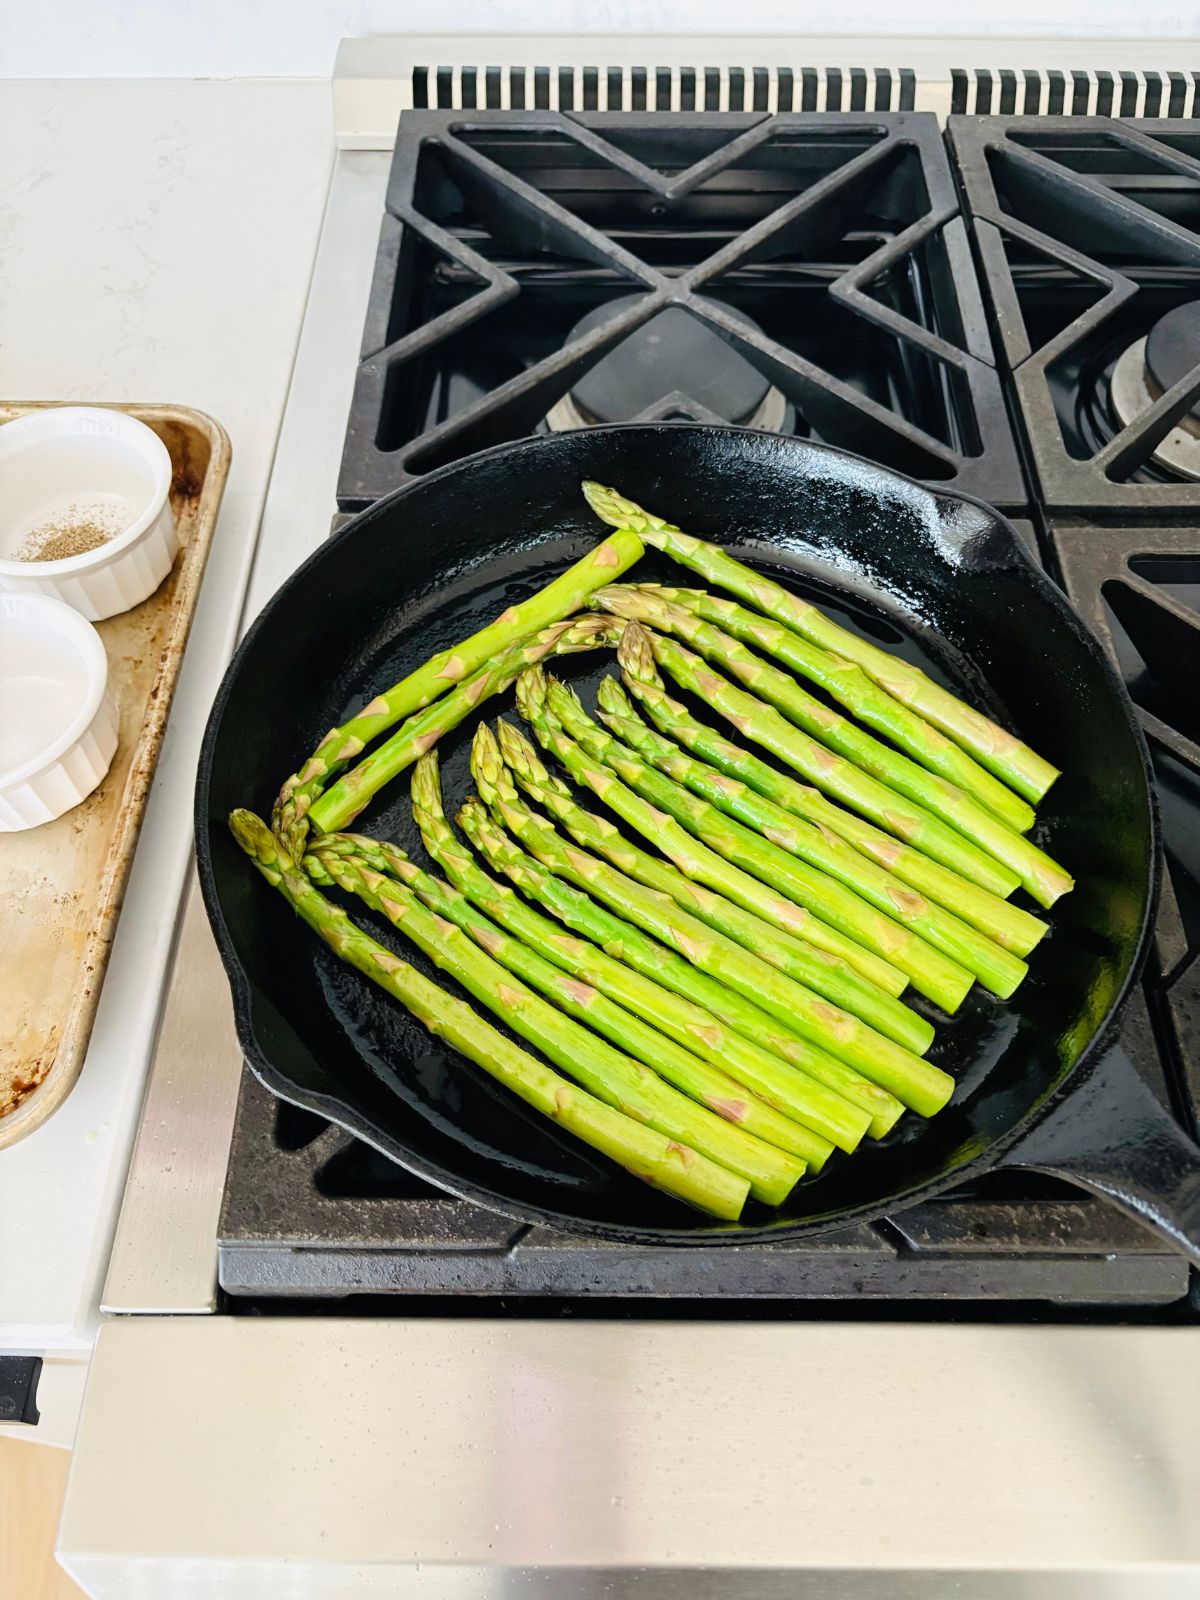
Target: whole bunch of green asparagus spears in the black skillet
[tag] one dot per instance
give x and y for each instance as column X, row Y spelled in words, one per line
column 721, row 983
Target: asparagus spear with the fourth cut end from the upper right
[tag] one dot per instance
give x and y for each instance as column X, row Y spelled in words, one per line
column 830, row 772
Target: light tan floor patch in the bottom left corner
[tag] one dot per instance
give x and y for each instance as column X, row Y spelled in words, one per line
column 33, row 1484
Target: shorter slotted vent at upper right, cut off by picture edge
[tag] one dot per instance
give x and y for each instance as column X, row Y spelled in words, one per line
column 1074, row 94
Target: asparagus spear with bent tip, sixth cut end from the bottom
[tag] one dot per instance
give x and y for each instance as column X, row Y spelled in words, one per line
column 914, row 1082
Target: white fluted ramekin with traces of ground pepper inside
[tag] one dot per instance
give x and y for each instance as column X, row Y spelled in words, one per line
column 62, row 462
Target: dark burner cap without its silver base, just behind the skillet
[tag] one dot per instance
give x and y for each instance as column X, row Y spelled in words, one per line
column 673, row 351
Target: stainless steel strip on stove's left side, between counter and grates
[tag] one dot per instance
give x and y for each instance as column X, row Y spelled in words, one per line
column 164, row 1257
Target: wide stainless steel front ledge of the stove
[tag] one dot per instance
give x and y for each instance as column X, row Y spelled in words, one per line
column 630, row 1457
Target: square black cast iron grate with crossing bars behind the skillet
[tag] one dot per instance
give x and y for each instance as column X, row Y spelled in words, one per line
column 838, row 234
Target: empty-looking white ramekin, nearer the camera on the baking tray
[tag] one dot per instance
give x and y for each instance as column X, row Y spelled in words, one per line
column 58, row 724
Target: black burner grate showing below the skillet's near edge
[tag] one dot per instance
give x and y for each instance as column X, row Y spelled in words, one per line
column 311, row 1214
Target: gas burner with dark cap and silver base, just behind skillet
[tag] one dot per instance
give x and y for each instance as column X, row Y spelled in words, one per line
column 671, row 367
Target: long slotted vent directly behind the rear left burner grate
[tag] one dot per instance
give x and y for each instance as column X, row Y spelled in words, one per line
column 665, row 89
